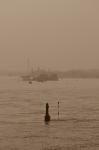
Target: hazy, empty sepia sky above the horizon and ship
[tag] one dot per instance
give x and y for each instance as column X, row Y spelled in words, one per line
column 54, row 34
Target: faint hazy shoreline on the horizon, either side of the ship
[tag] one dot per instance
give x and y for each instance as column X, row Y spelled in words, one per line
column 71, row 74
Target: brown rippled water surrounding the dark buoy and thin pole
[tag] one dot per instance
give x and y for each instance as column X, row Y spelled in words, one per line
column 22, row 109
